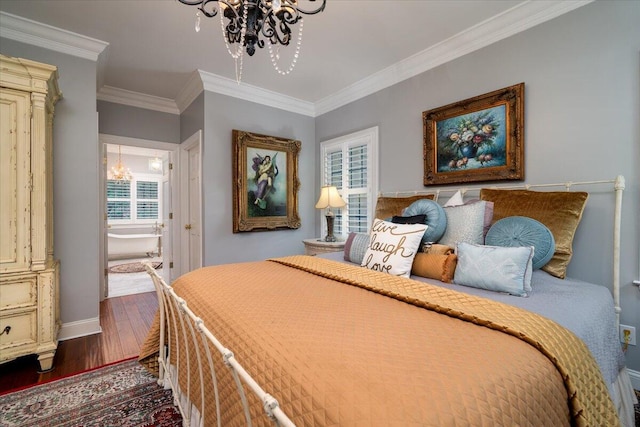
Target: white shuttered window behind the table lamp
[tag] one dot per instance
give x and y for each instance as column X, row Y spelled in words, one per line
column 351, row 164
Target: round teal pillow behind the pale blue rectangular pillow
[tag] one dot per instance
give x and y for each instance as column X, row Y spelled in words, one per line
column 515, row 231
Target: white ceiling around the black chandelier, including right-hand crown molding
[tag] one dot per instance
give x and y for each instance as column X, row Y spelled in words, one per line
column 353, row 48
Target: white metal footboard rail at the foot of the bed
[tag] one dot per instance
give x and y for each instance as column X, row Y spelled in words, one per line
column 179, row 325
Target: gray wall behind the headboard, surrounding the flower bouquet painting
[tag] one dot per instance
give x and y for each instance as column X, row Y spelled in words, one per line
column 582, row 109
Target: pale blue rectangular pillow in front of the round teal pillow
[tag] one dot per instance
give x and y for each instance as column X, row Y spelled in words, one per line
column 495, row 268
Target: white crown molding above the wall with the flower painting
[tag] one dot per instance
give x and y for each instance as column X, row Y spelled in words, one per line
column 499, row 27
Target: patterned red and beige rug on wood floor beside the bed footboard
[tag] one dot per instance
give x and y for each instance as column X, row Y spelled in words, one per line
column 122, row 394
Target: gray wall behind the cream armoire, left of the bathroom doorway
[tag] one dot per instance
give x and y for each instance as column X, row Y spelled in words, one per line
column 75, row 180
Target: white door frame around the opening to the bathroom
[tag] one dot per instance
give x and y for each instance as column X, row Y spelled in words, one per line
column 175, row 194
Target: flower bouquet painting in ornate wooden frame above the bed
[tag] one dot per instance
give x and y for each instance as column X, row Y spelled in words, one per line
column 478, row 139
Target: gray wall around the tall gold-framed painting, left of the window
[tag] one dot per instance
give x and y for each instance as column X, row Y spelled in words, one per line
column 222, row 115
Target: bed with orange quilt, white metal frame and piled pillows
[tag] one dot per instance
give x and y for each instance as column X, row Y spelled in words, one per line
column 322, row 340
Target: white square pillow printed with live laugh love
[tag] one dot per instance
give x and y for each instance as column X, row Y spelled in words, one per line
column 392, row 247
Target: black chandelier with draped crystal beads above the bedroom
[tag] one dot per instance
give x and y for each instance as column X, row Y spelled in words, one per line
column 250, row 22
